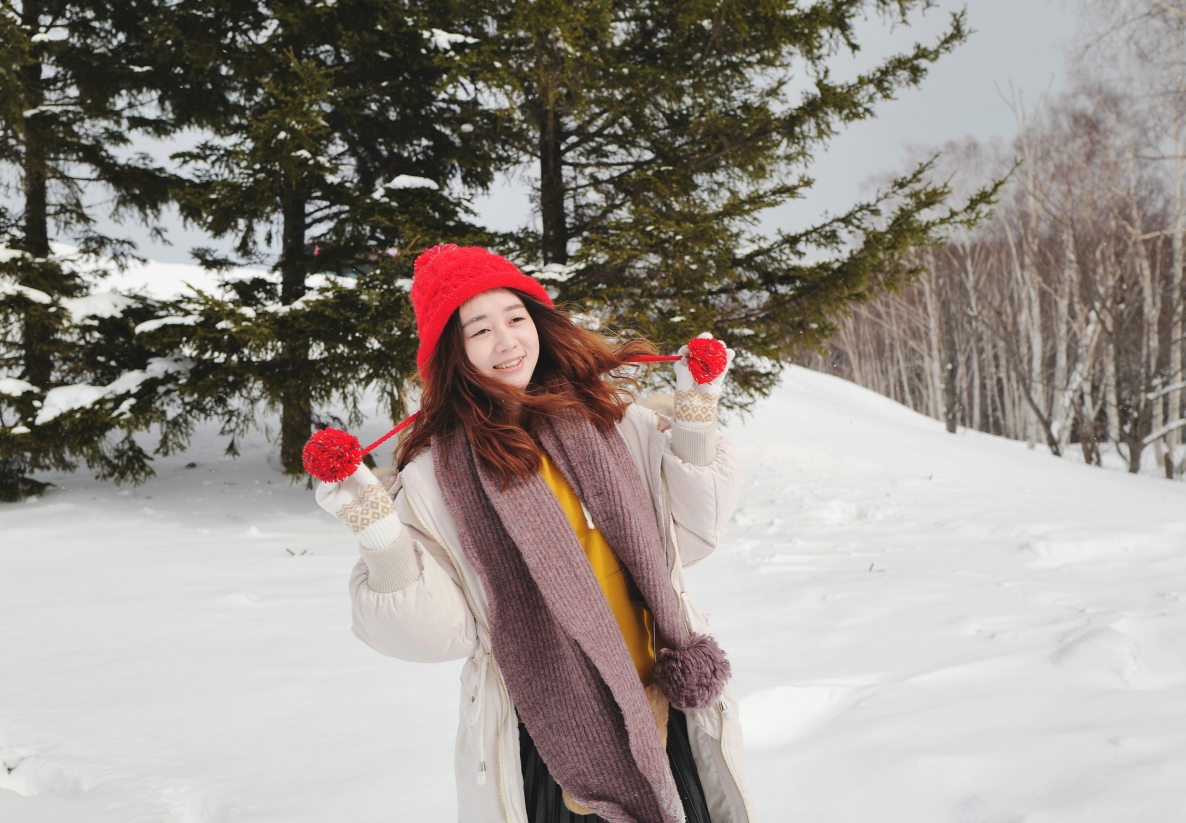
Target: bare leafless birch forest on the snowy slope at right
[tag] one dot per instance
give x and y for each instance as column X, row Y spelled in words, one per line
column 1061, row 320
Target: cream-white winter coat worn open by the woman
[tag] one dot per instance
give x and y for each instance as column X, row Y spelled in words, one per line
column 444, row 616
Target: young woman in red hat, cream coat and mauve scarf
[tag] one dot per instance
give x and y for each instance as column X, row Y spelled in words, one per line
column 539, row 528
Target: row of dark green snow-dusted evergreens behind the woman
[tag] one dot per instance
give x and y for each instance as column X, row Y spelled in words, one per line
column 330, row 142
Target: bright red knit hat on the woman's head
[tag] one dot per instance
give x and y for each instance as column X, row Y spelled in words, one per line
column 449, row 276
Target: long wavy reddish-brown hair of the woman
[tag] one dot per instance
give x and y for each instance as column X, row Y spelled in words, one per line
column 569, row 378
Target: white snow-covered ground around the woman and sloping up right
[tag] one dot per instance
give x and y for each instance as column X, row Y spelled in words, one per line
column 924, row 628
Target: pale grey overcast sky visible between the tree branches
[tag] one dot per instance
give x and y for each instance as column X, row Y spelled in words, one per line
column 1018, row 42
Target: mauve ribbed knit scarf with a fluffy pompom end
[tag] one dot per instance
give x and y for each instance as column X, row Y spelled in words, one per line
column 557, row 642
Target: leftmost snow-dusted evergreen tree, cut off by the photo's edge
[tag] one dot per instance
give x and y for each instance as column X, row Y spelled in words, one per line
column 74, row 382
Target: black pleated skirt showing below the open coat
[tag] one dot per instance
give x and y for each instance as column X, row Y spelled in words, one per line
column 545, row 799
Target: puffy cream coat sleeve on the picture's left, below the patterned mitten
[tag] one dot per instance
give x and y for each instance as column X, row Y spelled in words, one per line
column 426, row 622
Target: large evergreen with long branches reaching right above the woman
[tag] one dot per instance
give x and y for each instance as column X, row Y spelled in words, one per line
column 662, row 130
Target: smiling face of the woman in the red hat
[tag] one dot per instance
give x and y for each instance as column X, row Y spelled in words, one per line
column 500, row 337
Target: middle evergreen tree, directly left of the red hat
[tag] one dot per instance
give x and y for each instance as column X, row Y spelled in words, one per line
column 336, row 148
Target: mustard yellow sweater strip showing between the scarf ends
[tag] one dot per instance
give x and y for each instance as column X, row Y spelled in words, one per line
column 635, row 621
